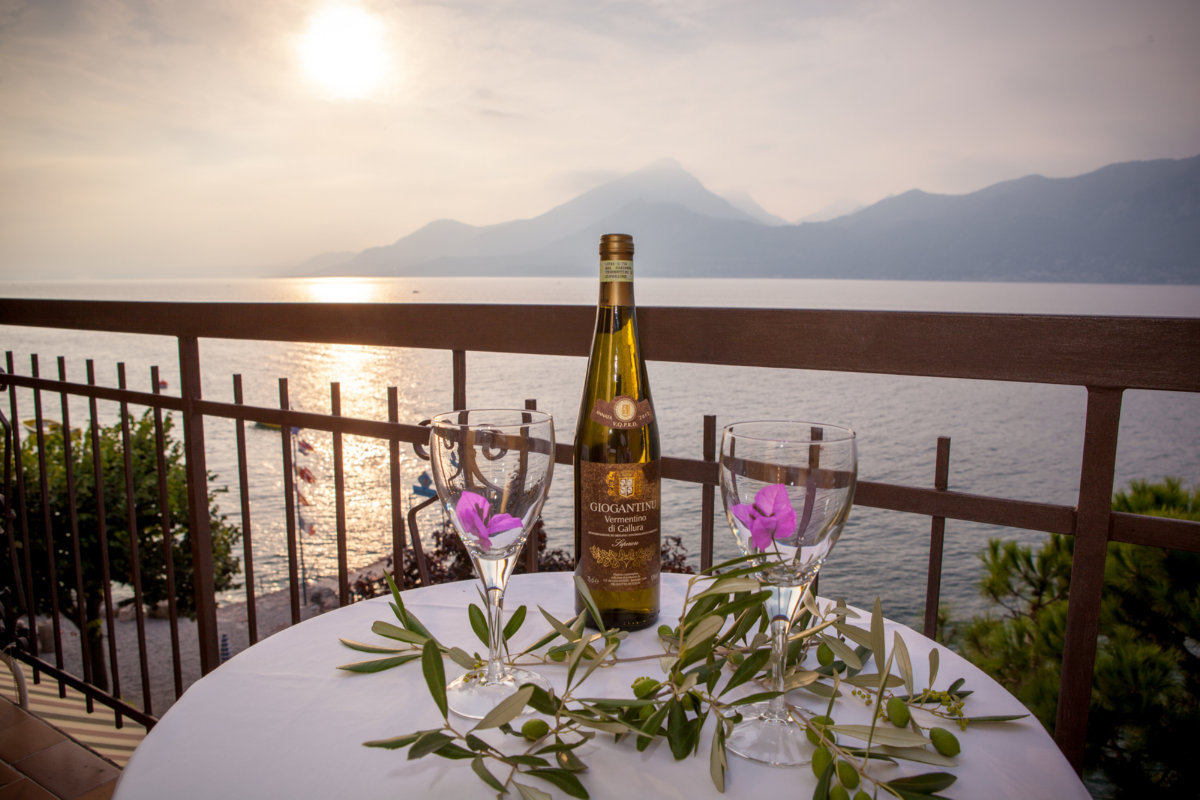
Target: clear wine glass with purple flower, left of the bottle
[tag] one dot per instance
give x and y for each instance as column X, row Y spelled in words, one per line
column 493, row 468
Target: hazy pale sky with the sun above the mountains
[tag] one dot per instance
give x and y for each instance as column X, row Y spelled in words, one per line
column 188, row 139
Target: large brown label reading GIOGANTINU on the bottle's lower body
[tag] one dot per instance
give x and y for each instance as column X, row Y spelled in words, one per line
column 620, row 519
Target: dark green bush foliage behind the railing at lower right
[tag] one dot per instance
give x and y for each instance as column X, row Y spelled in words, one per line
column 1147, row 685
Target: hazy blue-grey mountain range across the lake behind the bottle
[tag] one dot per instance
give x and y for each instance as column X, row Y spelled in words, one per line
column 1135, row 222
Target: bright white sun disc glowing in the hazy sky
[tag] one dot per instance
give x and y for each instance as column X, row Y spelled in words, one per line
column 344, row 51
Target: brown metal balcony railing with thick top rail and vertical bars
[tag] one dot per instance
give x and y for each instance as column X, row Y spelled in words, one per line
column 1105, row 356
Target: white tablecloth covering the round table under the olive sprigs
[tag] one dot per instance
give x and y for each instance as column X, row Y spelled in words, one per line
column 281, row 721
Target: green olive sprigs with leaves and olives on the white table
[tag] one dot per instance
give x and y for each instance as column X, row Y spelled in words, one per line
column 719, row 645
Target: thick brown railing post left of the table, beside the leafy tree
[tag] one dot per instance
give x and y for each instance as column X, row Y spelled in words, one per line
column 199, row 504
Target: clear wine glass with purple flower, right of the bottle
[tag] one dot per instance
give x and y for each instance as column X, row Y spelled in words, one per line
column 788, row 490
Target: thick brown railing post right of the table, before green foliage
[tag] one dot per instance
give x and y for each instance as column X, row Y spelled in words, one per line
column 1088, row 570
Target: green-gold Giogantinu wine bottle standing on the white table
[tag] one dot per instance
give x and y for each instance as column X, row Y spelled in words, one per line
column 617, row 497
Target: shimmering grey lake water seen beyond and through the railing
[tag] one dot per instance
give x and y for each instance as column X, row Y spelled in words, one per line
column 1010, row 441
